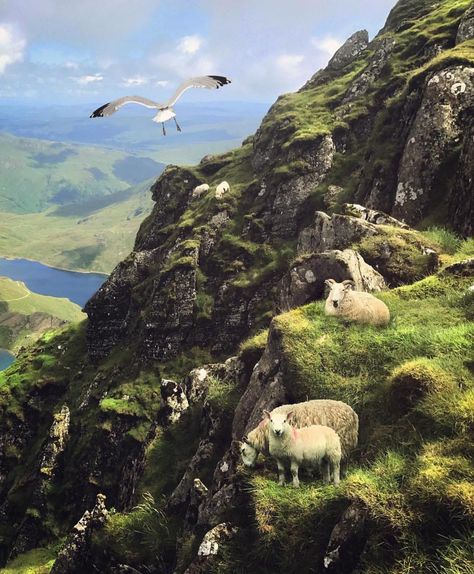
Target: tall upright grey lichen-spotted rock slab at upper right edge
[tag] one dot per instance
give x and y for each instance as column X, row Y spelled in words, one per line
column 435, row 132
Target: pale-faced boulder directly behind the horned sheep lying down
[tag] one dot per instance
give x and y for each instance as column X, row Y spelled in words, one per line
column 305, row 280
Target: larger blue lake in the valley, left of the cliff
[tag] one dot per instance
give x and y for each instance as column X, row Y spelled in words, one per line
column 77, row 287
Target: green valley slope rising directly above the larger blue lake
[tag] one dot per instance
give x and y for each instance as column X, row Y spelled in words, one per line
column 93, row 235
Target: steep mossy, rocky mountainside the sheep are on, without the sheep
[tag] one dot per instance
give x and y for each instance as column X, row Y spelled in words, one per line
column 119, row 435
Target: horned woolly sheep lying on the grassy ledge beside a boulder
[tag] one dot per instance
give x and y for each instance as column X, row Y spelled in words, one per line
column 355, row 306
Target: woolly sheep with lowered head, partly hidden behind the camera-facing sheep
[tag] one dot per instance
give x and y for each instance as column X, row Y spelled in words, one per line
column 334, row 414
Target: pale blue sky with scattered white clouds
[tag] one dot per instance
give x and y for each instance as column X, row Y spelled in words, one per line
column 68, row 51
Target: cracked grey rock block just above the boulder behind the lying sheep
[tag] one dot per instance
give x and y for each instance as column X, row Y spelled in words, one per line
column 336, row 232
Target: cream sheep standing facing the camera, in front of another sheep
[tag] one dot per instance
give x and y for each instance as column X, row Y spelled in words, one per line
column 308, row 445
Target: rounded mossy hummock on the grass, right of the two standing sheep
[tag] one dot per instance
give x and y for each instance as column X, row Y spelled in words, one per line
column 413, row 380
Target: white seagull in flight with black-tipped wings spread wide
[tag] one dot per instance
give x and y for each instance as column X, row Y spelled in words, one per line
column 165, row 110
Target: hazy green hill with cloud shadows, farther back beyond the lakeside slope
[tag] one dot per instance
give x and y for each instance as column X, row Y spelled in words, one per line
column 36, row 174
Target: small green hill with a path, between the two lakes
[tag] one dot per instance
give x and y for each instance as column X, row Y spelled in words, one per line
column 24, row 315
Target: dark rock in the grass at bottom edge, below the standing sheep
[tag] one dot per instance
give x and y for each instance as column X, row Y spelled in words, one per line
column 347, row 540
